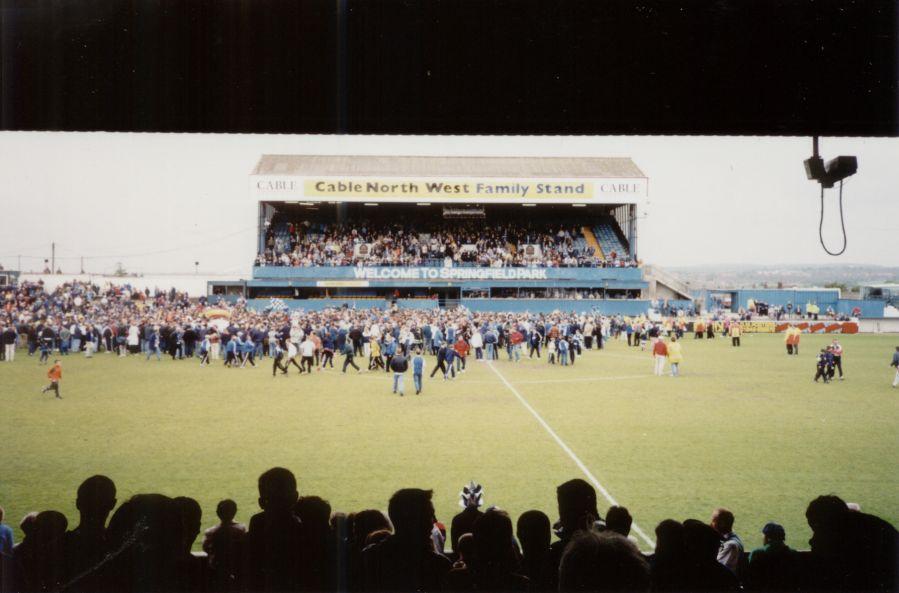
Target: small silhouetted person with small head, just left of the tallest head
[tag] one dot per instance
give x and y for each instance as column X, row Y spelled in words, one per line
column 223, row 544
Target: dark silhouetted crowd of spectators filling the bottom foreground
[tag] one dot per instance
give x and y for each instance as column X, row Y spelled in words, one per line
column 296, row 543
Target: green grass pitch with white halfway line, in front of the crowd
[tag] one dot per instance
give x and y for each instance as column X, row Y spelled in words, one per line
column 742, row 427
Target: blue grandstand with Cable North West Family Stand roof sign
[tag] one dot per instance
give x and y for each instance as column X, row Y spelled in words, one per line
column 487, row 233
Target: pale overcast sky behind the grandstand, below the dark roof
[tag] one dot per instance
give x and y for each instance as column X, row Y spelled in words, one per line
column 158, row 203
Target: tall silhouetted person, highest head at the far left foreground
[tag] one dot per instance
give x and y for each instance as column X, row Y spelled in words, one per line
column 87, row 544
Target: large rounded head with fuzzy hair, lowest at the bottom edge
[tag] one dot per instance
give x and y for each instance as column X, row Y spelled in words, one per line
column 602, row 561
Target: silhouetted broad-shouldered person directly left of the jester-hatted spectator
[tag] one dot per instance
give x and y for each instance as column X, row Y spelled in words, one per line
column 406, row 561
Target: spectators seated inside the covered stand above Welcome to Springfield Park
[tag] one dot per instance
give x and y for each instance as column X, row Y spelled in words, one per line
column 449, row 243
